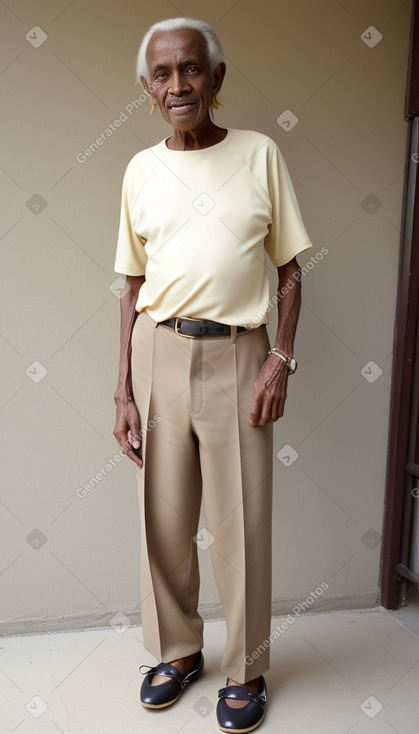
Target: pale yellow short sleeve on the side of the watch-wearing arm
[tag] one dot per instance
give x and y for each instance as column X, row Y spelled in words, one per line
column 287, row 235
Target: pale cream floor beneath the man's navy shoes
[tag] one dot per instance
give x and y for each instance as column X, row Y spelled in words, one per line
column 331, row 673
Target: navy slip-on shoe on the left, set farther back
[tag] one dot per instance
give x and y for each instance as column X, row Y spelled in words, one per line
column 156, row 697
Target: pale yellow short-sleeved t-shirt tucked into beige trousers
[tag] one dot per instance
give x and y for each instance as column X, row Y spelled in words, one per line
column 198, row 225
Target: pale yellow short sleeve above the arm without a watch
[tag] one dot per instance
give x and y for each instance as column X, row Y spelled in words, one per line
column 131, row 257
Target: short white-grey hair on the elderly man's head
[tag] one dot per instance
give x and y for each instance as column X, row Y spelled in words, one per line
column 214, row 50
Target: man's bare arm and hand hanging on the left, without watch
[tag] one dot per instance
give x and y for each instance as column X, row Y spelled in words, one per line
column 127, row 426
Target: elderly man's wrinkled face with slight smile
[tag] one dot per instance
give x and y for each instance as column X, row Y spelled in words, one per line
column 181, row 82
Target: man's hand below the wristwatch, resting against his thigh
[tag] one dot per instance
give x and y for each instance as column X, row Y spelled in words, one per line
column 270, row 392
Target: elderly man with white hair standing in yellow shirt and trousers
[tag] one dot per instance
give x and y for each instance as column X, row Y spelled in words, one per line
column 199, row 387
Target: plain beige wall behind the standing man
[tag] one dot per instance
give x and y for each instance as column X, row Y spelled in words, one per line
column 69, row 561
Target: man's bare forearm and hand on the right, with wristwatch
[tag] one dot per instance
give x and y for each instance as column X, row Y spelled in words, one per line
column 270, row 389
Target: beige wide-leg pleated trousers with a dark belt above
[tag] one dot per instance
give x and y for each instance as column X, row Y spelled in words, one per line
column 194, row 397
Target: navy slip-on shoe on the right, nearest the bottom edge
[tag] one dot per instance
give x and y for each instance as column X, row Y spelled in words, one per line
column 239, row 721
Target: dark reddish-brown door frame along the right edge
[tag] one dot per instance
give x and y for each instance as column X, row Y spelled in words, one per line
column 397, row 504
